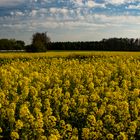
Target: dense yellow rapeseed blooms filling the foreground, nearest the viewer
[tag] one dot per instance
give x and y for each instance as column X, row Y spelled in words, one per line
column 94, row 97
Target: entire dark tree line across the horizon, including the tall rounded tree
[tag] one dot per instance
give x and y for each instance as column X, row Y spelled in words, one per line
column 41, row 42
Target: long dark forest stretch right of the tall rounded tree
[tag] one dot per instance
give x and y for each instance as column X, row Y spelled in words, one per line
column 111, row 44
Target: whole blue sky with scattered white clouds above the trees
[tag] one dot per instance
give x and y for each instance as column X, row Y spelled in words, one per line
column 70, row 20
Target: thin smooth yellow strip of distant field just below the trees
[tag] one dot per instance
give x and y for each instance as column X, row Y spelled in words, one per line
column 66, row 53
